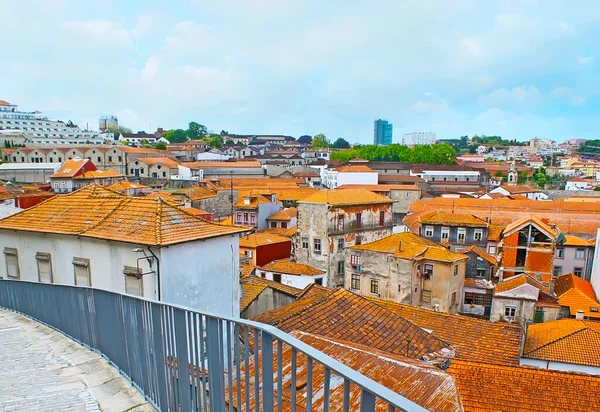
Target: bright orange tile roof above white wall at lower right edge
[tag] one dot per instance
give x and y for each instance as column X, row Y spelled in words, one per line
column 564, row 340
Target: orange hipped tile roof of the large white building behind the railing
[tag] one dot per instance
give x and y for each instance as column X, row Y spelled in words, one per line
column 97, row 212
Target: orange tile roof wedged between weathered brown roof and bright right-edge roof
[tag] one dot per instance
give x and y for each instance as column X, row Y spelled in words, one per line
column 474, row 339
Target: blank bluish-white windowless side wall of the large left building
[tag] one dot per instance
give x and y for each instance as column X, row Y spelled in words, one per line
column 203, row 275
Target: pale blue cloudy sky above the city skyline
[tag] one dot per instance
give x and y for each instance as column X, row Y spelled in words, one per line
column 515, row 68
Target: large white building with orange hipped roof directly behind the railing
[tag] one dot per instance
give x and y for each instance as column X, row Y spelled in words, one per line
column 141, row 246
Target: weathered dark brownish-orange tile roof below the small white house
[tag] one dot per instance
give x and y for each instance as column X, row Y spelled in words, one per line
column 343, row 315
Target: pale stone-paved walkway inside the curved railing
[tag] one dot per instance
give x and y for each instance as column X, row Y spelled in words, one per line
column 43, row 370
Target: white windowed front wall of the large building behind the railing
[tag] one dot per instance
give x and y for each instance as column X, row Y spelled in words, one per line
column 107, row 259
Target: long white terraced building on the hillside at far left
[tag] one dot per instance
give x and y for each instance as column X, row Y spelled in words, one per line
column 38, row 126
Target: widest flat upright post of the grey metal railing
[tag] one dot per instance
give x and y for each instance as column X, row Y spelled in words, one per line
column 215, row 365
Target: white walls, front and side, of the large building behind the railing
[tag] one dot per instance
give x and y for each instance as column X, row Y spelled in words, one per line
column 202, row 275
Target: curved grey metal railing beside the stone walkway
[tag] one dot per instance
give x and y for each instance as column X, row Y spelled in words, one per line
column 184, row 360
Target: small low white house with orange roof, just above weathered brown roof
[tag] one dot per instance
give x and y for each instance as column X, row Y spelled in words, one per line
column 298, row 275
